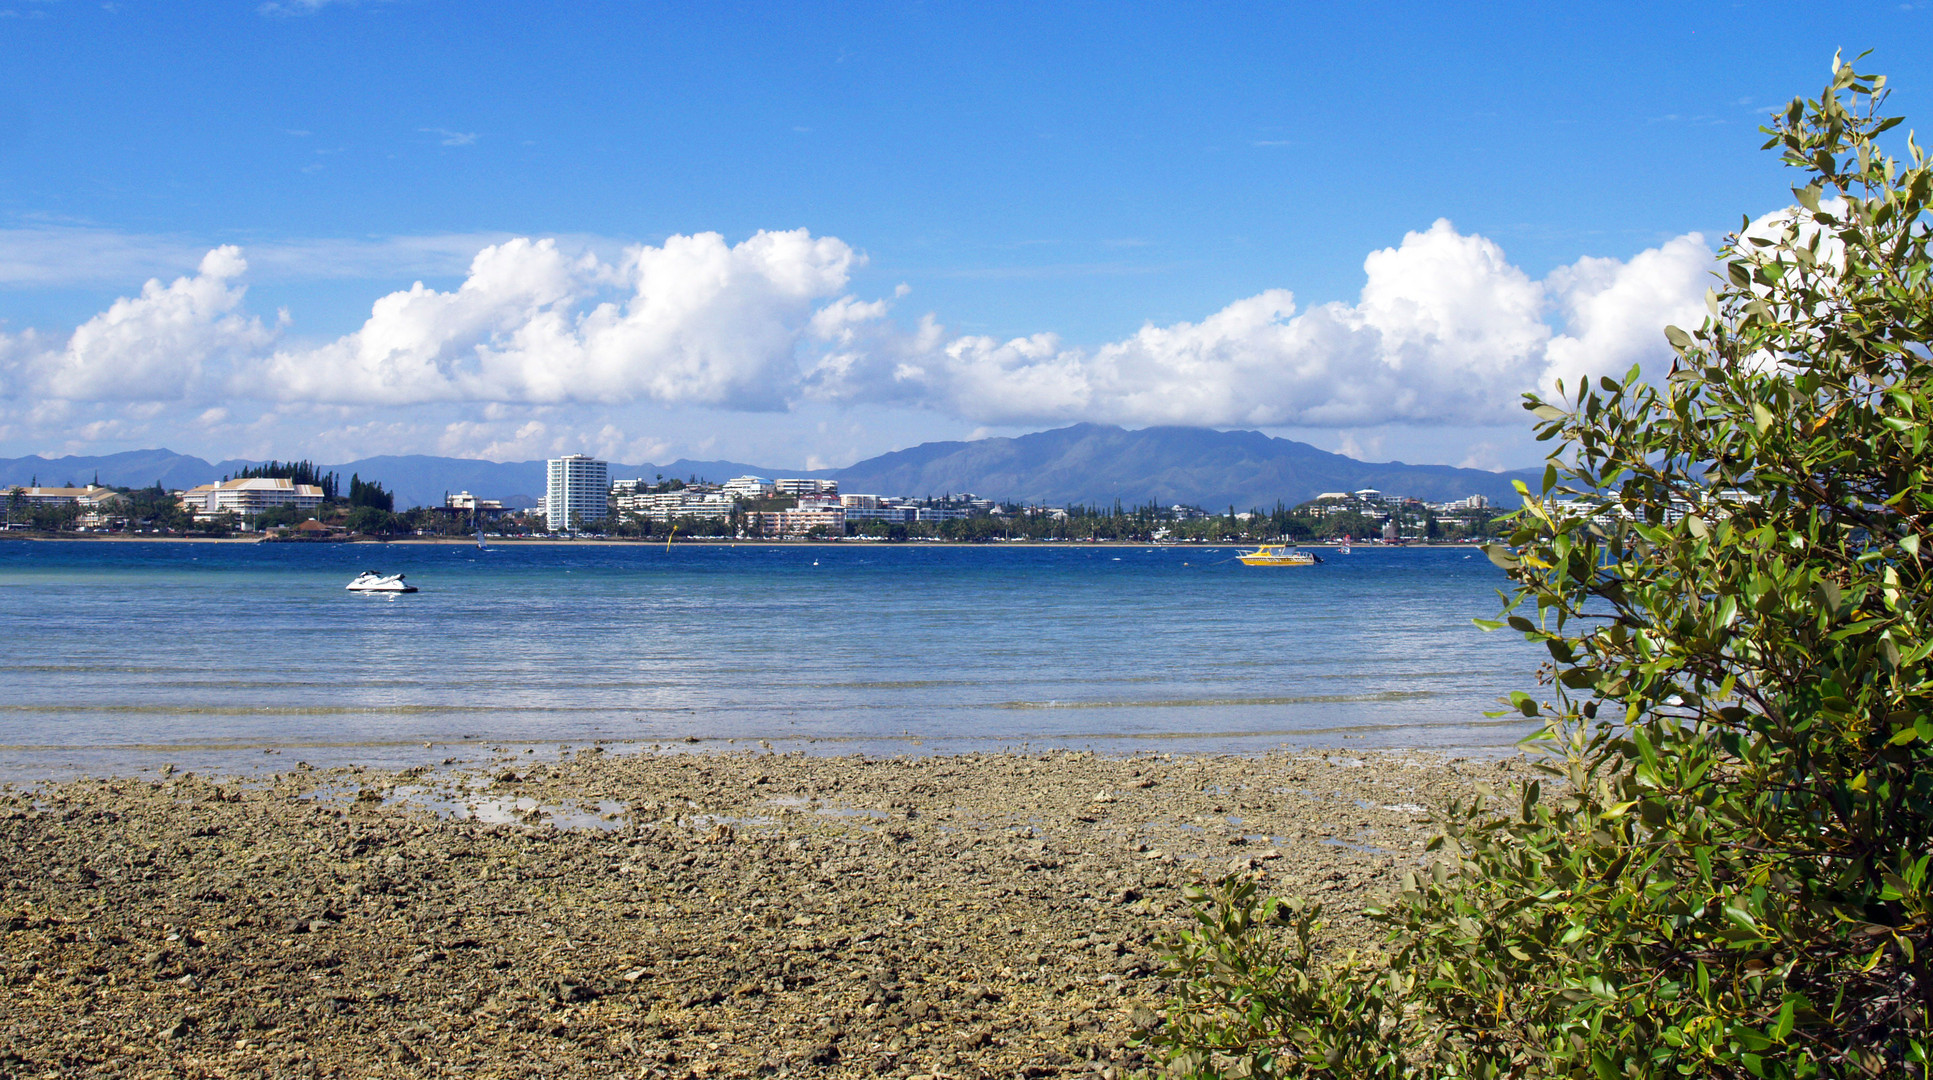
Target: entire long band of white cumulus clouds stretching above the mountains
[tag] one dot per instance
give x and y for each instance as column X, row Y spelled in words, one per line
column 1445, row 331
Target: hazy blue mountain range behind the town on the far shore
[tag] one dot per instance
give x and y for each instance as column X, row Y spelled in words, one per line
column 1087, row 463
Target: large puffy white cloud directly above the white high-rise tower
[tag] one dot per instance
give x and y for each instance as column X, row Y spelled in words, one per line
column 701, row 324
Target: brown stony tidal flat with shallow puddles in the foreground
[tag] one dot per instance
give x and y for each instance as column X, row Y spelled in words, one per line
column 662, row 915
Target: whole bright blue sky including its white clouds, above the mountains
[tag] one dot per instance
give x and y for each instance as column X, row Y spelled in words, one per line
column 977, row 217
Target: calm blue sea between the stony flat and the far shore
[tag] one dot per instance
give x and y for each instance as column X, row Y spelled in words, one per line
column 237, row 658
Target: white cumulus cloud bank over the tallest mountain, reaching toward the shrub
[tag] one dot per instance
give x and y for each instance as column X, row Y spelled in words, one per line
column 1445, row 331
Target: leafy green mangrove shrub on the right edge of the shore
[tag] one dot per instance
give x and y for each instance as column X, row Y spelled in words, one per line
column 1723, row 870
